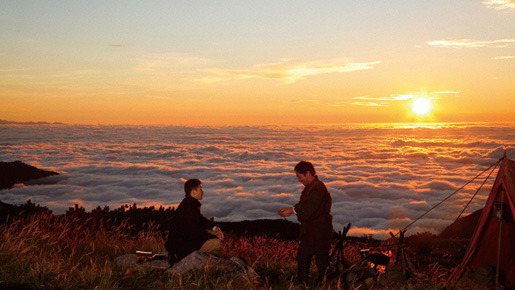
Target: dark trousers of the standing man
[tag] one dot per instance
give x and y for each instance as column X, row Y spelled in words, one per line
column 304, row 255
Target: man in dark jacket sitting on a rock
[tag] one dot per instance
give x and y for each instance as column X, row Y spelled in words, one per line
column 189, row 229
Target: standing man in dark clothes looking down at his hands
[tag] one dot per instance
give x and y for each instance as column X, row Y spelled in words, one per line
column 316, row 222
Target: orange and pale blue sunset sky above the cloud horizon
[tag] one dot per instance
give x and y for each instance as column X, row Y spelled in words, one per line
column 256, row 62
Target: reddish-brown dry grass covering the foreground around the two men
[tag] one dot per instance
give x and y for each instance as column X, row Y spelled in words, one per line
column 47, row 251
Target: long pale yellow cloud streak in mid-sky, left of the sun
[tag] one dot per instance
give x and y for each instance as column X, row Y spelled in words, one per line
column 292, row 70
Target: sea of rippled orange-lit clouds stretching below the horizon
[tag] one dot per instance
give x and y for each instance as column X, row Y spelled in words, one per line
column 381, row 177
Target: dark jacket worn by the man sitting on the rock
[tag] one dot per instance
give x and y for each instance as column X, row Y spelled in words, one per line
column 187, row 230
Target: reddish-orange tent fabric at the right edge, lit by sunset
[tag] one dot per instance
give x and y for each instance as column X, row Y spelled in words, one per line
column 484, row 243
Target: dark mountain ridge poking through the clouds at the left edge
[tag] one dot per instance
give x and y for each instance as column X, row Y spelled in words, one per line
column 15, row 172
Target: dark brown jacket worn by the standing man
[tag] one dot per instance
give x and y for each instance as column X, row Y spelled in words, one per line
column 314, row 214
